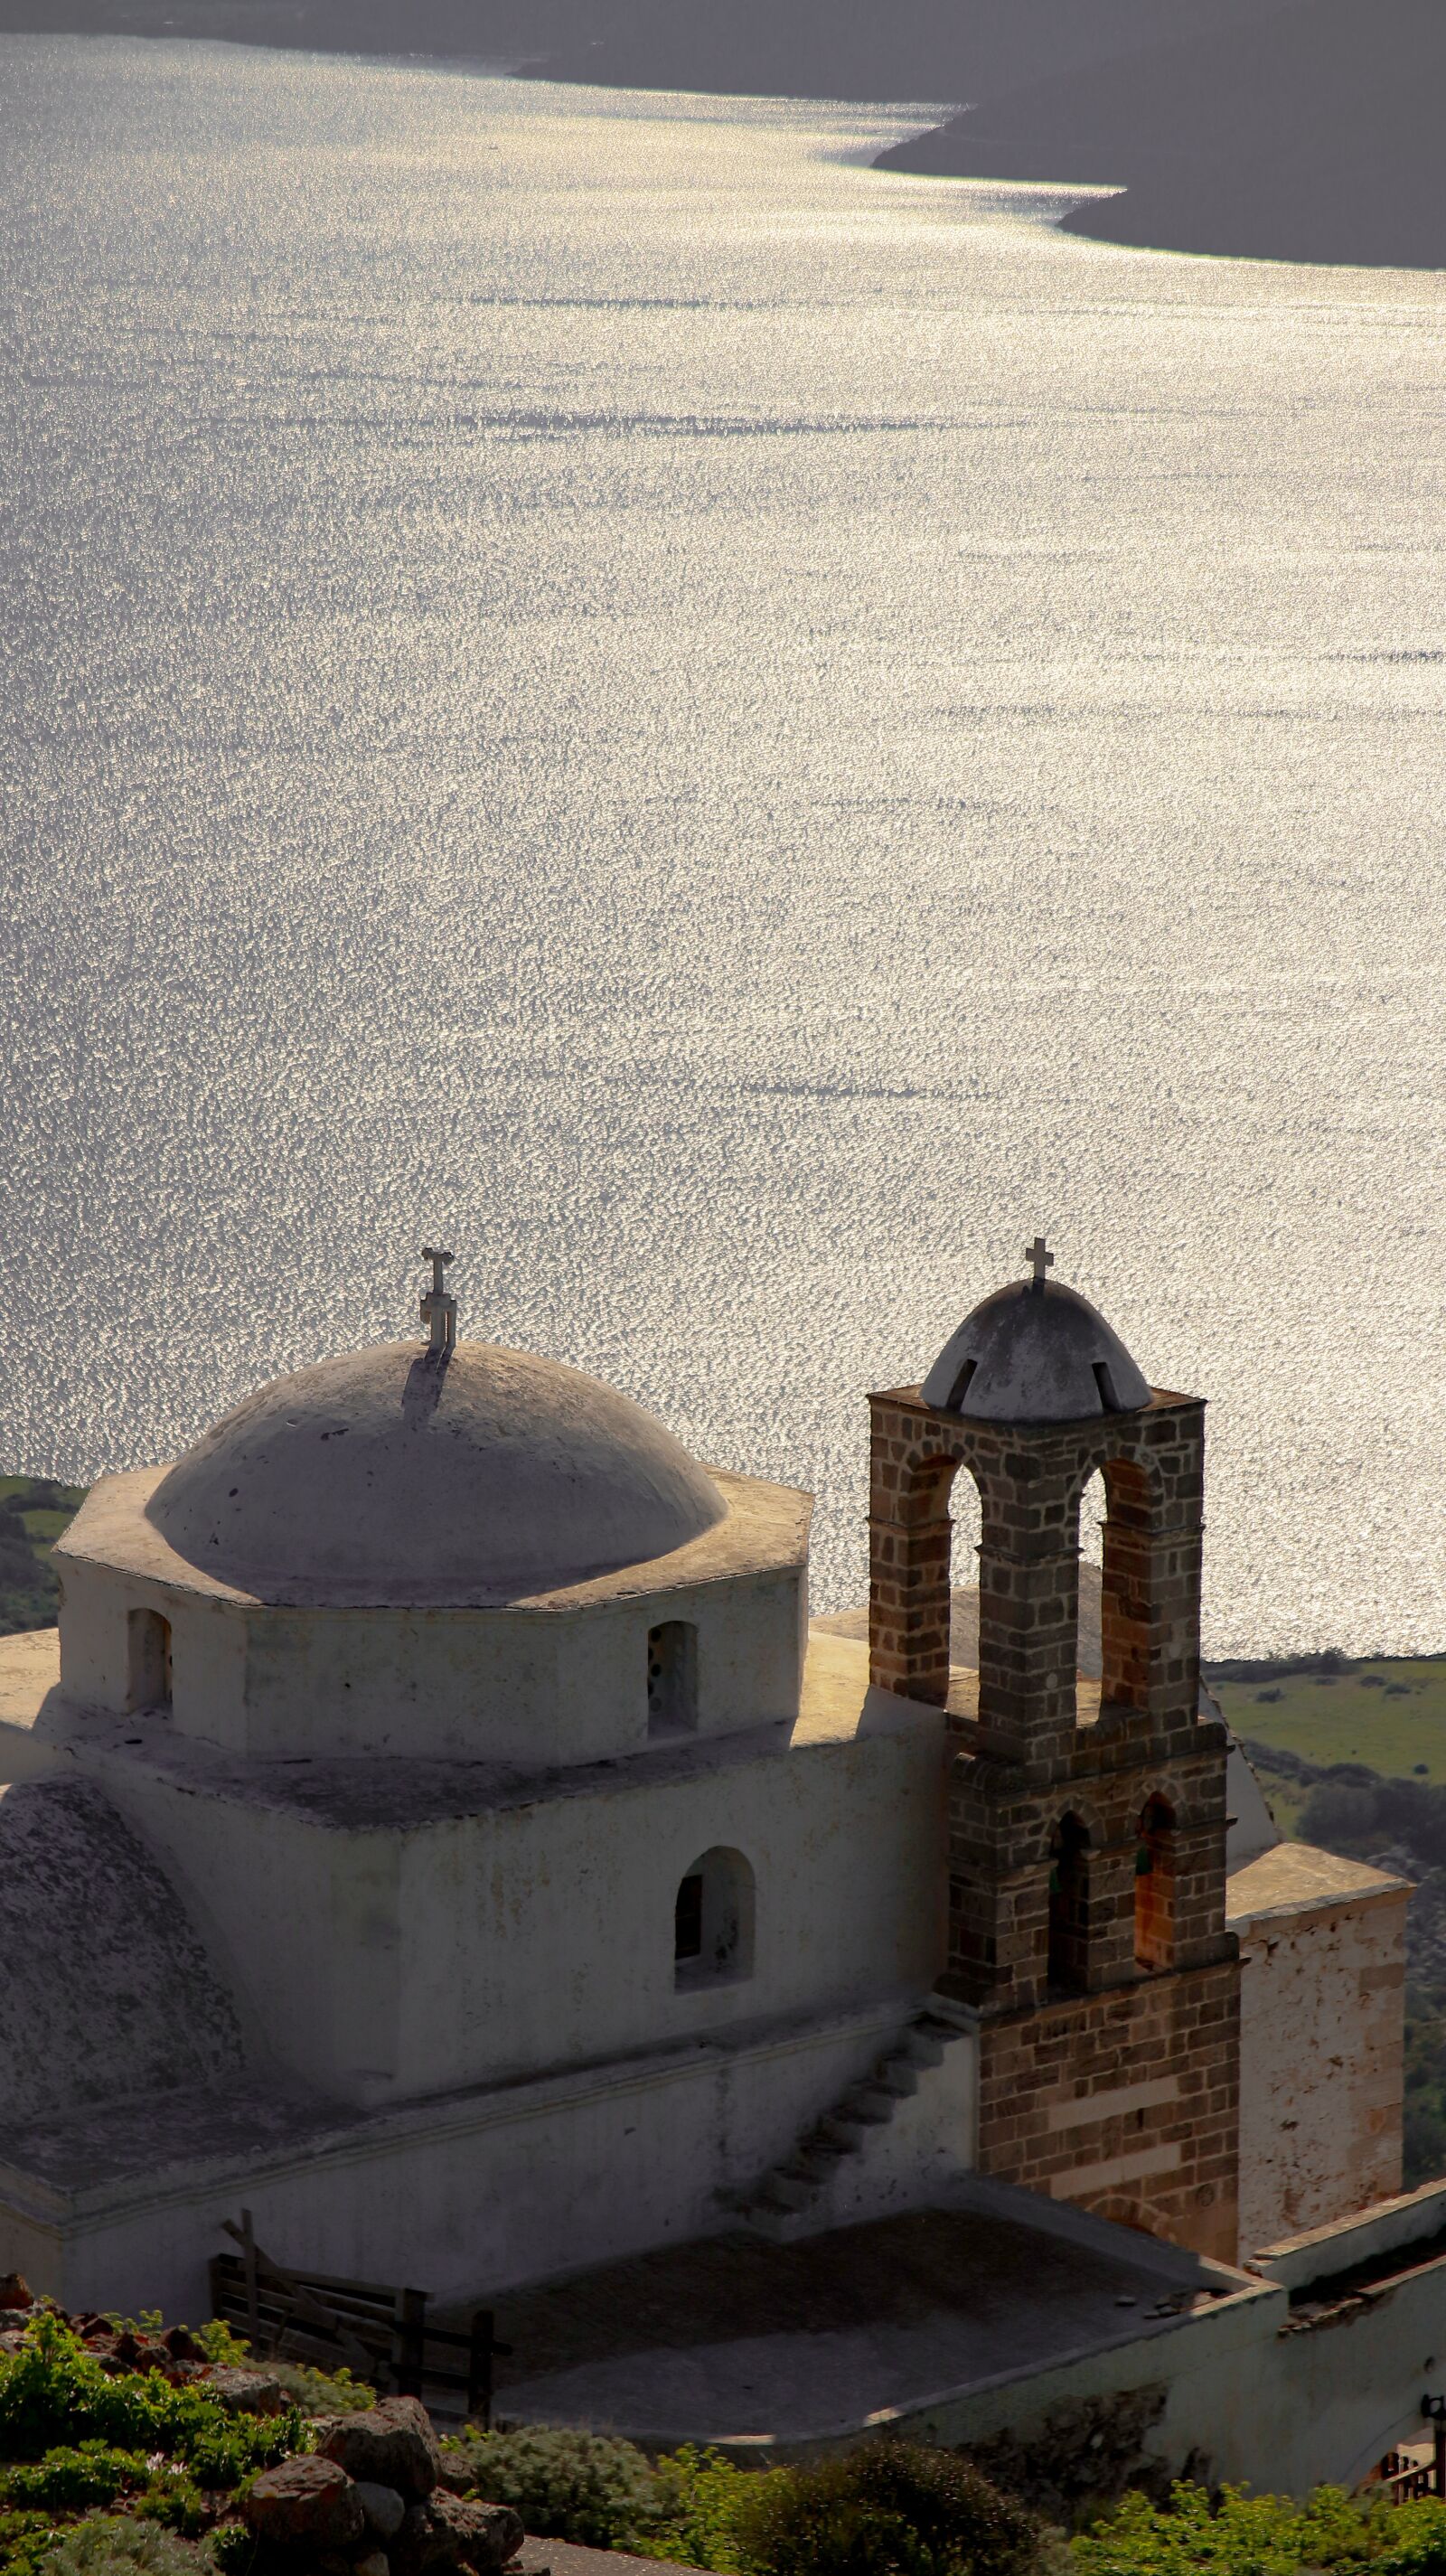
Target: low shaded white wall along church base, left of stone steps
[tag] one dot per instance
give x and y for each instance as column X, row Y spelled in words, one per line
column 481, row 2196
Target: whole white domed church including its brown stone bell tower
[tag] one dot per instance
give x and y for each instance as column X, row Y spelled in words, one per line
column 439, row 1828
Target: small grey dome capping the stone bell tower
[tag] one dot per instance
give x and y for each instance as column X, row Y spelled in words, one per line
column 1035, row 1354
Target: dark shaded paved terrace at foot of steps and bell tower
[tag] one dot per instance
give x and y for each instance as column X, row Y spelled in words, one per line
column 749, row 2343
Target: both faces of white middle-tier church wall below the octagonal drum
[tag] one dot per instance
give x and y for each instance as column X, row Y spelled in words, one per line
column 537, row 1936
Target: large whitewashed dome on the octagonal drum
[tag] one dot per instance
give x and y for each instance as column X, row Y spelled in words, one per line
column 398, row 1475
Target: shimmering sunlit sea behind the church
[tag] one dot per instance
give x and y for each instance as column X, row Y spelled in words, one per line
column 731, row 733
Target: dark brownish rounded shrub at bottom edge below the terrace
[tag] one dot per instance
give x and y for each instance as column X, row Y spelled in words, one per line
column 885, row 2510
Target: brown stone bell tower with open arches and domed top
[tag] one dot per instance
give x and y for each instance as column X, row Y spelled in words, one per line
column 1086, row 1833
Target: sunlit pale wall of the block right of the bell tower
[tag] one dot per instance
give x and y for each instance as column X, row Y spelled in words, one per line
column 1321, row 2065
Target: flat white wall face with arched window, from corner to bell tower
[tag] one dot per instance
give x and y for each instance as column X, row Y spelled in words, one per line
column 545, row 1936
